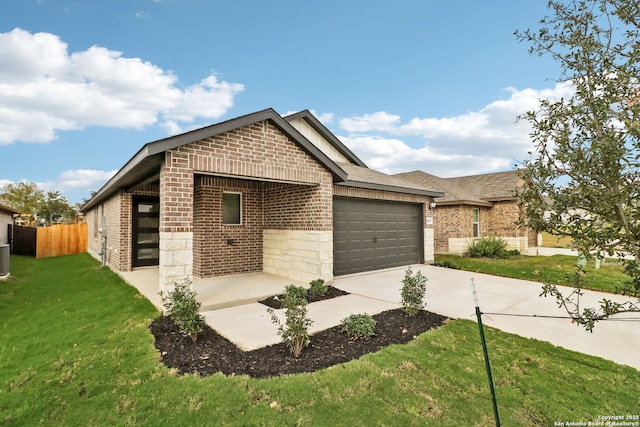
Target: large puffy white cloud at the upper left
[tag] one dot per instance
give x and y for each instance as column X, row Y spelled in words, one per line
column 44, row 89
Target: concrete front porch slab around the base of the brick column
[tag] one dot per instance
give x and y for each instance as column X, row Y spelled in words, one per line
column 215, row 292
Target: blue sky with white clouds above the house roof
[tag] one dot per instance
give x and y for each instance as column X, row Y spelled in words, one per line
column 408, row 84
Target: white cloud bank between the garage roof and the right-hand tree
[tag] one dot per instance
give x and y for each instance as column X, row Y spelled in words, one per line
column 475, row 142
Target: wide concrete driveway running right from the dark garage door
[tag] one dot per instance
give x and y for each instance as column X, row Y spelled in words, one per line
column 449, row 293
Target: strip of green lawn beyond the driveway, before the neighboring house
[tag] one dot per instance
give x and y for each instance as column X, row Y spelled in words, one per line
column 556, row 269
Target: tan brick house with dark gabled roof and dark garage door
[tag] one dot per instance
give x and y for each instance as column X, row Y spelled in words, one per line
column 257, row 193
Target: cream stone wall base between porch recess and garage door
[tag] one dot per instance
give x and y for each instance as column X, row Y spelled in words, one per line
column 300, row 255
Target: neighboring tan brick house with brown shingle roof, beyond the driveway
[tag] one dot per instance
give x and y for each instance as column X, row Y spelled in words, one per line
column 473, row 207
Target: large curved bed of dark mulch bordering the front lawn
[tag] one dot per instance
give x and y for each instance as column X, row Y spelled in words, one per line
column 213, row 353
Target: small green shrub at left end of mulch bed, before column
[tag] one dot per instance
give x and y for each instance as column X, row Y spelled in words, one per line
column 185, row 310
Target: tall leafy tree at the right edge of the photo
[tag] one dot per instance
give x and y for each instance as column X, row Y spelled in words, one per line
column 585, row 168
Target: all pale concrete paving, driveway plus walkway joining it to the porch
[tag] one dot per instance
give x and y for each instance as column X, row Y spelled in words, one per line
column 449, row 293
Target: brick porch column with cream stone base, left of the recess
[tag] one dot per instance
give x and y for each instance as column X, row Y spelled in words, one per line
column 176, row 220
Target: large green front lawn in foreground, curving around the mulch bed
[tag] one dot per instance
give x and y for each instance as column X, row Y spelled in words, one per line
column 75, row 350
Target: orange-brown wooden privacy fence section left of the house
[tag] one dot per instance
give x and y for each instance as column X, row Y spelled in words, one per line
column 61, row 239
